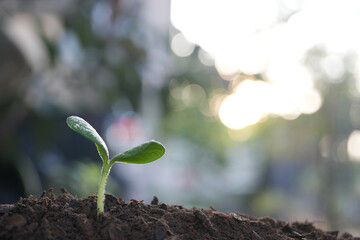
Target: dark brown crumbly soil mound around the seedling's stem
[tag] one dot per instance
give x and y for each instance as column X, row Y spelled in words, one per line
column 66, row 217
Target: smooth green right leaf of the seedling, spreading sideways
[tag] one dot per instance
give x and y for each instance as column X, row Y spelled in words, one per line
column 145, row 153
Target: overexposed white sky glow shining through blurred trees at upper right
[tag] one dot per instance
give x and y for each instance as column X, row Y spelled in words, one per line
column 247, row 37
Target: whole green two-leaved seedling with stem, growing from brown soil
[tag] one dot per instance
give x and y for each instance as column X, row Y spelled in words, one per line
column 144, row 153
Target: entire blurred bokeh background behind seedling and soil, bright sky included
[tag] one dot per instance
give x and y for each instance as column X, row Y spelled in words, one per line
column 257, row 102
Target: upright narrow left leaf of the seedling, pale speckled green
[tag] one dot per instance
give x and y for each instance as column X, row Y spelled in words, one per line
column 85, row 129
